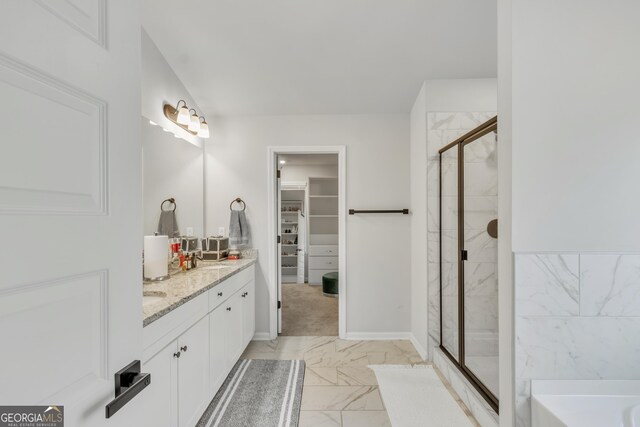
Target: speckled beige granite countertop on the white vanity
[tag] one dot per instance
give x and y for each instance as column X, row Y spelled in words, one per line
column 184, row 286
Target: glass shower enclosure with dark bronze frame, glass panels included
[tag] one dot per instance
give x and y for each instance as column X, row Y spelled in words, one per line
column 469, row 257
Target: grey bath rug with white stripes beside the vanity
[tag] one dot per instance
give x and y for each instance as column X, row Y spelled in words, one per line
column 258, row 393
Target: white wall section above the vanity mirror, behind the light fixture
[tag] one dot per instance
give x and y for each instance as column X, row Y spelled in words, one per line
column 160, row 85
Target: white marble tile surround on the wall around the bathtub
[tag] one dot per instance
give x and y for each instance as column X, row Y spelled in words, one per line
column 577, row 317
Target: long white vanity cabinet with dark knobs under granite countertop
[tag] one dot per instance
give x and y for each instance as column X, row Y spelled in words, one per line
column 190, row 351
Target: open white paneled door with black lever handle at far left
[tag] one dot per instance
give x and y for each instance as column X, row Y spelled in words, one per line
column 70, row 204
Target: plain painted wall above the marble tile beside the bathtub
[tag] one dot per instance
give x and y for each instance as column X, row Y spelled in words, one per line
column 575, row 126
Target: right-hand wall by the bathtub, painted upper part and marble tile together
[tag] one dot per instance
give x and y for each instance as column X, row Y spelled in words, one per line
column 575, row 206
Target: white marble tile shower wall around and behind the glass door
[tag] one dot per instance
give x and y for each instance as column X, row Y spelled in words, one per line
column 481, row 206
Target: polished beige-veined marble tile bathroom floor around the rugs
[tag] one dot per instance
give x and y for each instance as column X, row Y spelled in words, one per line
column 339, row 389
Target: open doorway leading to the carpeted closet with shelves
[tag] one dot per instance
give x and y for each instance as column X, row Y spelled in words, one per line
column 309, row 208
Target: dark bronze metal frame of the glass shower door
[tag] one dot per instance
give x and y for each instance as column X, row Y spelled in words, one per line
column 459, row 144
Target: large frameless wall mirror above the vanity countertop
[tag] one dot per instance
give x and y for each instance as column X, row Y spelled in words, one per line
column 172, row 168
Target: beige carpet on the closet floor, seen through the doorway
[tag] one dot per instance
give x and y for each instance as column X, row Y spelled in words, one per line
column 306, row 312
